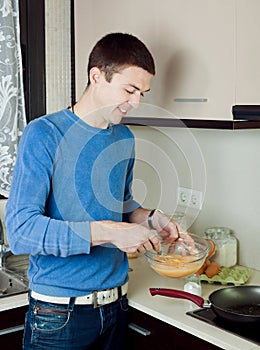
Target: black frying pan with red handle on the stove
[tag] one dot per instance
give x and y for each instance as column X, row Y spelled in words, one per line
column 236, row 304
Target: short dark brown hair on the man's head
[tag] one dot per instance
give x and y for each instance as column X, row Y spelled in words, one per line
column 116, row 51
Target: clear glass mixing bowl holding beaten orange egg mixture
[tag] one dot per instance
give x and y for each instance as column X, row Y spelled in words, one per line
column 180, row 258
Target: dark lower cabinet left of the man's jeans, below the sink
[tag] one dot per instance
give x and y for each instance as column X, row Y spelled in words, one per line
column 11, row 327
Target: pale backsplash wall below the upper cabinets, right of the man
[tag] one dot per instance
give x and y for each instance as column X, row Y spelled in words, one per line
column 232, row 188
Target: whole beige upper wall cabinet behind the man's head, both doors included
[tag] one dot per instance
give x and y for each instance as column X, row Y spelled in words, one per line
column 198, row 46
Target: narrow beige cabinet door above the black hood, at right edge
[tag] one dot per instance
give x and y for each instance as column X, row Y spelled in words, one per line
column 248, row 52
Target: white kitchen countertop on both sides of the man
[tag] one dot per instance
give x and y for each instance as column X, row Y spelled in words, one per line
column 170, row 310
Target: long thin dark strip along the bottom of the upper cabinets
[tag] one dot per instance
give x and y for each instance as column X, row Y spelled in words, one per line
column 192, row 123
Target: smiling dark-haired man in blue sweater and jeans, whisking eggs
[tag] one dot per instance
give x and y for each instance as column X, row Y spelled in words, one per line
column 71, row 207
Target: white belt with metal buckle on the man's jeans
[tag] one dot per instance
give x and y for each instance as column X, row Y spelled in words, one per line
column 97, row 298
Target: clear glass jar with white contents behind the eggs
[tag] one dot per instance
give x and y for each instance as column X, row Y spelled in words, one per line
column 226, row 245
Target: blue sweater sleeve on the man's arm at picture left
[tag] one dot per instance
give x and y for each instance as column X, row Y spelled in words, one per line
column 29, row 229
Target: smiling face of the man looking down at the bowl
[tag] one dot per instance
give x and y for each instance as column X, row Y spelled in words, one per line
column 122, row 93
